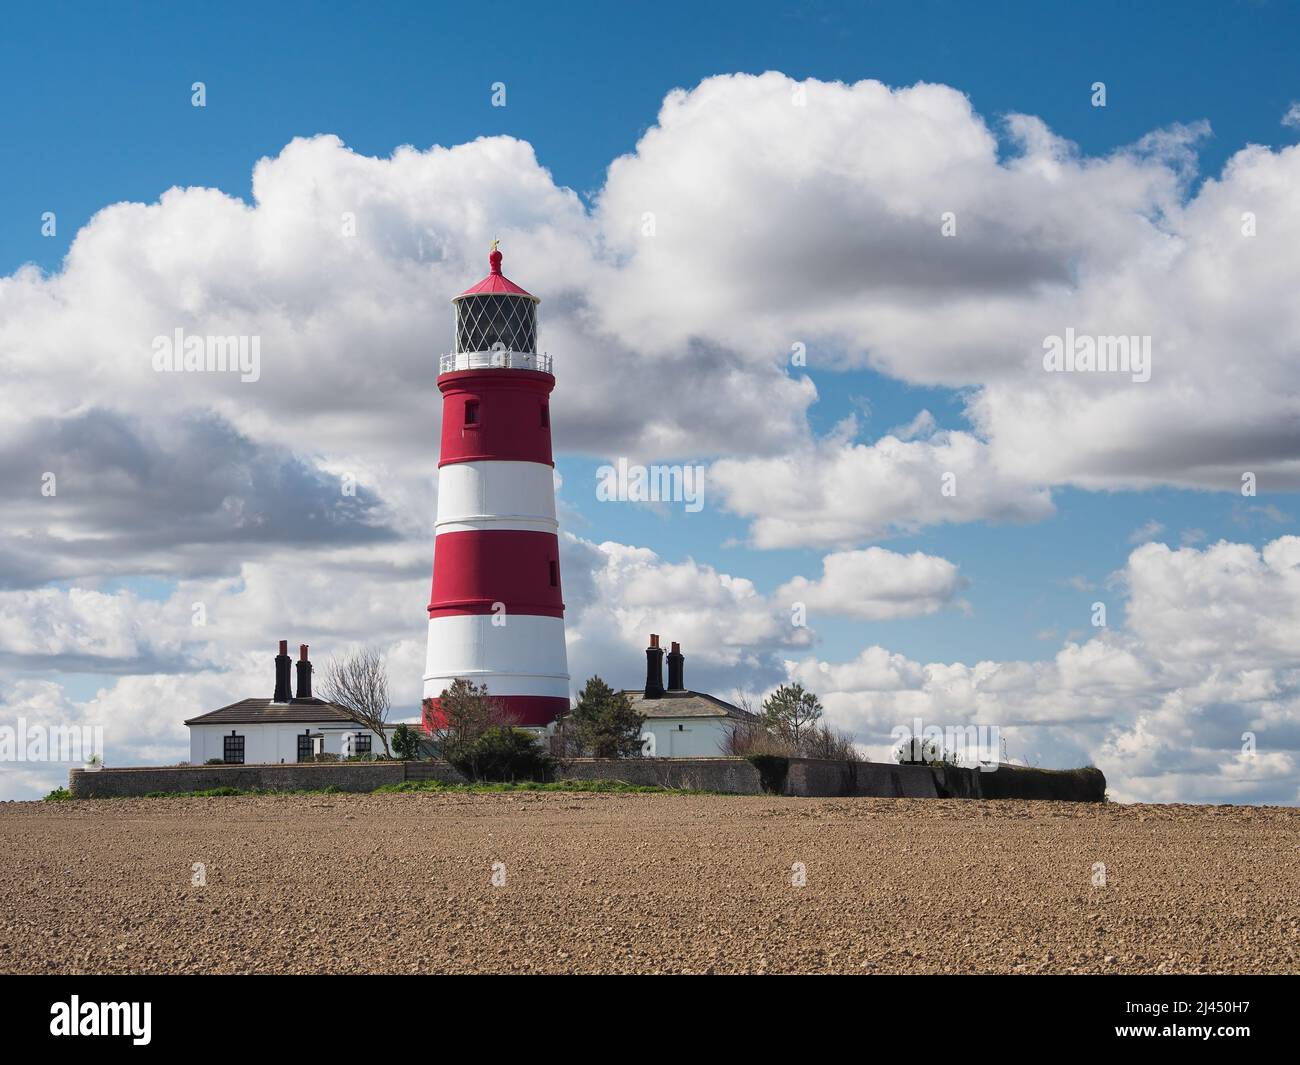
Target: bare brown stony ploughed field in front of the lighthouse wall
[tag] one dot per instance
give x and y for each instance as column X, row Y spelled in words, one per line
column 644, row 884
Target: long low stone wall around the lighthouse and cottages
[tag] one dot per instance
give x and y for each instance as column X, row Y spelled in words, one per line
column 795, row 777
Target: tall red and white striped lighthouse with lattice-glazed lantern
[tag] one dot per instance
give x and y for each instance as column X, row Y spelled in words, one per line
column 497, row 614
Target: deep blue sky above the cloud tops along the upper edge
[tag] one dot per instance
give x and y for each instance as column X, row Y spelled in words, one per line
column 99, row 96
